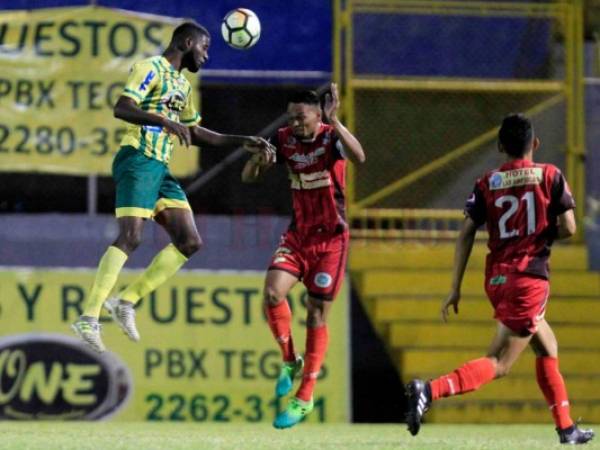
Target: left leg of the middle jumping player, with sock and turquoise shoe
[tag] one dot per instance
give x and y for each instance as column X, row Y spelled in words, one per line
column 278, row 284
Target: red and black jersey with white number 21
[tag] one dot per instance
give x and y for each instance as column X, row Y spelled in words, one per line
column 520, row 203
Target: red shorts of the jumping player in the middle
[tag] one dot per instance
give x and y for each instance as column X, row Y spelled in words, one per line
column 318, row 259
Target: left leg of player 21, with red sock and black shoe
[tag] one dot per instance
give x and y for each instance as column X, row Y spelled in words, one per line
column 502, row 354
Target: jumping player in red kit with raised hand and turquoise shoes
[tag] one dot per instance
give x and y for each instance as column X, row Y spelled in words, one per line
column 315, row 246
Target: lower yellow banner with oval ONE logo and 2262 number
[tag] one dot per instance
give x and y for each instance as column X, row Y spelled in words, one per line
column 206, row 353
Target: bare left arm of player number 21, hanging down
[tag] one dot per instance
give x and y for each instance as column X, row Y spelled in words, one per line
column 464, row 245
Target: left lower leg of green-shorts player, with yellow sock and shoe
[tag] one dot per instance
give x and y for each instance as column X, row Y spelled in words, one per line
column 87, row 326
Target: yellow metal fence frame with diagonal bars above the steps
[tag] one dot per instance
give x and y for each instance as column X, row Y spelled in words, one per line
column 367, row 218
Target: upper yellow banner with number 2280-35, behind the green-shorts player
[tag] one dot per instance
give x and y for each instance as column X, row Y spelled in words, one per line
column 63, row 70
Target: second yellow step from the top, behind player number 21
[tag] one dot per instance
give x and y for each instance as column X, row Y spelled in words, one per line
column 437, row 282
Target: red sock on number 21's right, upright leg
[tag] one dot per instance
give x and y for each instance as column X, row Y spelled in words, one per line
column 553, row 386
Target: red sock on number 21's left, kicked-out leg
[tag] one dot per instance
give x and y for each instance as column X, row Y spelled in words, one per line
column 467, row 378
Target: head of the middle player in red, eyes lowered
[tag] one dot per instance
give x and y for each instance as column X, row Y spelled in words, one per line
column 304, row 113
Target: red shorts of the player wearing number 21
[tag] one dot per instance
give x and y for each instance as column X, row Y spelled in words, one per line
column 519, row 299
